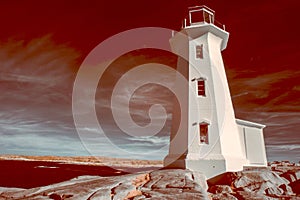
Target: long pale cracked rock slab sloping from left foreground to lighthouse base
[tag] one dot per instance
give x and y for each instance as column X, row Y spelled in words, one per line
column 160, row 184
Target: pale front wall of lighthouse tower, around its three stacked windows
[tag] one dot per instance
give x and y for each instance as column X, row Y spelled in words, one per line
column 205, row 109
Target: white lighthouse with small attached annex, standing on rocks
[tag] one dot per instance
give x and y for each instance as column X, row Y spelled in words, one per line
column 210, row 139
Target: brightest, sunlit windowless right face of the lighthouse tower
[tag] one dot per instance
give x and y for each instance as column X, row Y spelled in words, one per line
column 229, row 136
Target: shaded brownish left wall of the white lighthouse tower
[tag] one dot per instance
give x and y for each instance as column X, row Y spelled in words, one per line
column 179, row 137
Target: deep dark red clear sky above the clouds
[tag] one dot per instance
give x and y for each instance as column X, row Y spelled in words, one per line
column 262, row 32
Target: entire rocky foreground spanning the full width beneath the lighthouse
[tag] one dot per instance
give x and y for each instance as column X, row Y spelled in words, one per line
column 281, row 180
